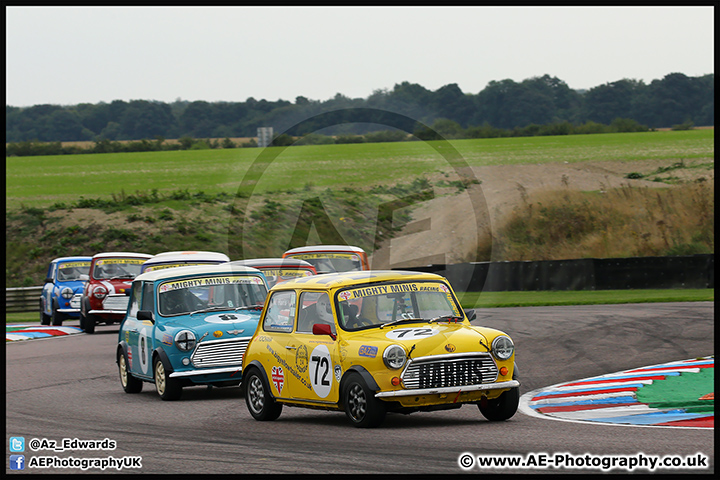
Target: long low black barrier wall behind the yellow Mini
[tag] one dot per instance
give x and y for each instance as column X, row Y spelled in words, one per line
column 691, row 271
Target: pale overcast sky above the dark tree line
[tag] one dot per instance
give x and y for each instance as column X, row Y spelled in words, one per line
column 71, row 55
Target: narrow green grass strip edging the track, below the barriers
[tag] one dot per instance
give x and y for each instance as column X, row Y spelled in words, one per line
column 528, row 299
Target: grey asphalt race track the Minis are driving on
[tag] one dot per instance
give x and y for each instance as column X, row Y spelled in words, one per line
column 68, row 388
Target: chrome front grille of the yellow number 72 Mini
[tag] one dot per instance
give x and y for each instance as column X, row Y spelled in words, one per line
column 454, row 370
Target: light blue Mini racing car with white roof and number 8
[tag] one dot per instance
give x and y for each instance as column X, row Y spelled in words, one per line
column 189, row 326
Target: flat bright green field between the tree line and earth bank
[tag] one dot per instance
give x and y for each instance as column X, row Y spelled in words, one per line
column 45, row 180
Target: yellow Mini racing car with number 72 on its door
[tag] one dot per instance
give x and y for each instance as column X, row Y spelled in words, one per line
column 373, row 342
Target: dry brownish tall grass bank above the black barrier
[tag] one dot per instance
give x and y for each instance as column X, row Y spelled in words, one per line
column 628, row 221
